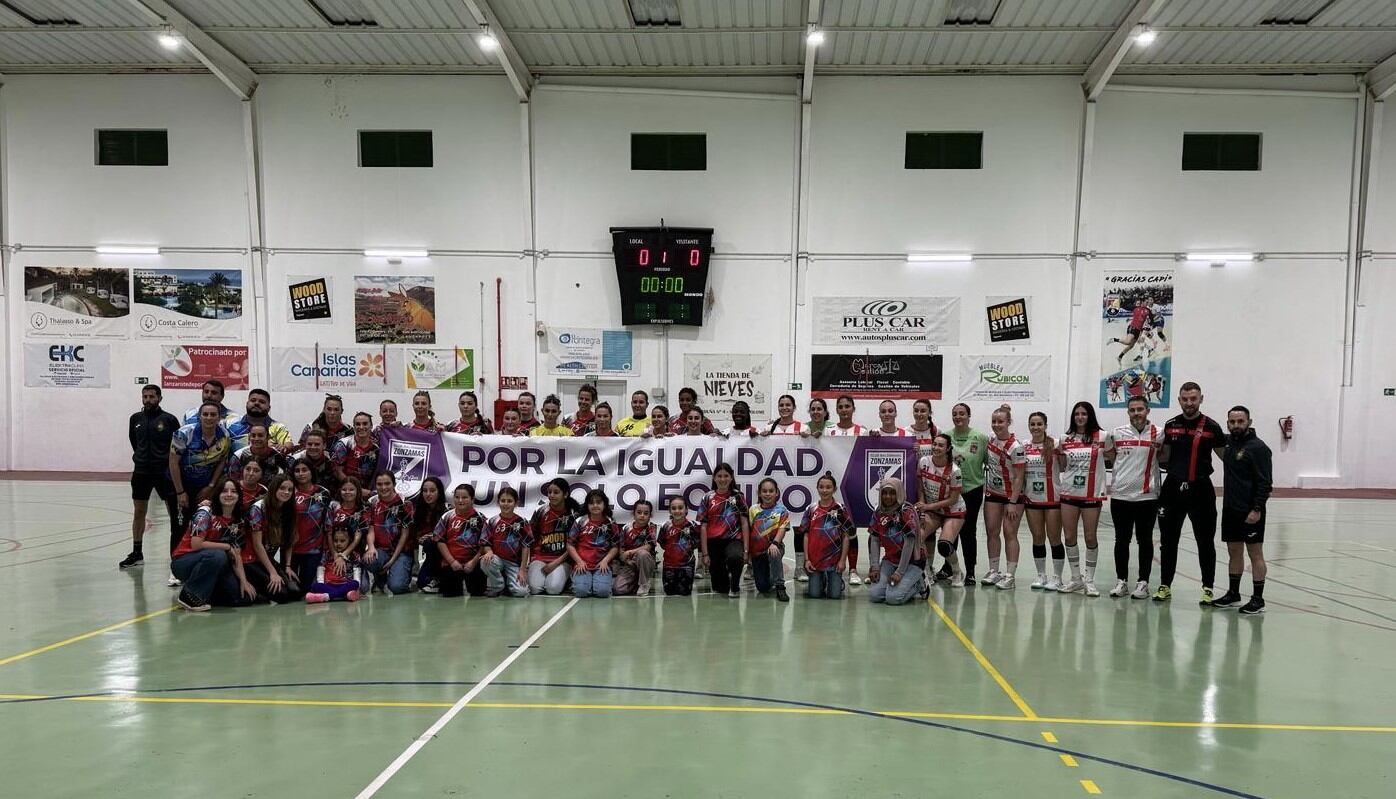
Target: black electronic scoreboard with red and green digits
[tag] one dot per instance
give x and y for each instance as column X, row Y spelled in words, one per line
column 662, row 274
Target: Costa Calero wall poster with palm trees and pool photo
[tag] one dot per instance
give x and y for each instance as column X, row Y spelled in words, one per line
column 189, row 304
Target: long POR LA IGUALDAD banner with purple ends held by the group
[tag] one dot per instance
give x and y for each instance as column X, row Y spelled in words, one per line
column 657, row 470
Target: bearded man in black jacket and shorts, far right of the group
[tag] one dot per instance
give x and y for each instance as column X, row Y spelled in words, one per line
column 1247, row 470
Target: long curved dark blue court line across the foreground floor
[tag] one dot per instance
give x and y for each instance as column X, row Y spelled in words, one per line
column 693, row 694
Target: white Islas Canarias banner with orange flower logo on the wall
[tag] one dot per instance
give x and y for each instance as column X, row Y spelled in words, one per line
column 337, row 368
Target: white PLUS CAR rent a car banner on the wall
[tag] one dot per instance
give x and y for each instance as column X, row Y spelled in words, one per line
column 887, row 321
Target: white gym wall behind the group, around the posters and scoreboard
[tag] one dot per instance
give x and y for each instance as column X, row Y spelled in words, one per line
column 1267, row 335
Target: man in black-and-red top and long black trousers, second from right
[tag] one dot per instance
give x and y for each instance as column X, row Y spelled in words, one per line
column 1189, row 442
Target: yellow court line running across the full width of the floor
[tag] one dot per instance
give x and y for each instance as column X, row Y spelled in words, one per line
column 1048, row 737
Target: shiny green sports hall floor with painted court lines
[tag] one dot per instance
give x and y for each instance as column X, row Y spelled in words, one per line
column 105, row 689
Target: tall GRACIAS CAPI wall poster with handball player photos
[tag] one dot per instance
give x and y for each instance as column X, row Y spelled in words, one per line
column 1137, row 340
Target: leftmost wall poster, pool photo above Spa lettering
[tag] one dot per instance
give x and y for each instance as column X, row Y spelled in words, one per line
column 77, row 302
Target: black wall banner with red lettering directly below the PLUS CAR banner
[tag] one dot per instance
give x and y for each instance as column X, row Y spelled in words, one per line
column 876, row 376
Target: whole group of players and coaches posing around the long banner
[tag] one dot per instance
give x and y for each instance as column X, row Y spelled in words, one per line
column 260, row 515
